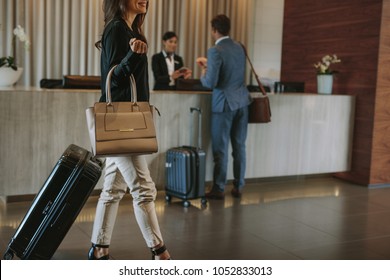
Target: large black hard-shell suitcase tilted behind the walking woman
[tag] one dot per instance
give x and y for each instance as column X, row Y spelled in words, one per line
column 56, row 206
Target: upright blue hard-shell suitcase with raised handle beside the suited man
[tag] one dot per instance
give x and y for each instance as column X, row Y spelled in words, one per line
column 185, row 170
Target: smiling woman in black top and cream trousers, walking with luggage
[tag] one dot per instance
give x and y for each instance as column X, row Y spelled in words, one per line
column 123, row 45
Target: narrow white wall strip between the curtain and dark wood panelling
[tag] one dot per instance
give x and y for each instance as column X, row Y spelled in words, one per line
column 267, row 42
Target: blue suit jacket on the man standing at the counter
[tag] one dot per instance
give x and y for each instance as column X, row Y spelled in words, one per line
column 225, row 75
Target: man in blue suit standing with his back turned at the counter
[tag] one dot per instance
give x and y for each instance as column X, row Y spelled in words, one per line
column 224, row 73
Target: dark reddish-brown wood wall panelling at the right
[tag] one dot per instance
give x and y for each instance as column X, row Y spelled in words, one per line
column 358, row 32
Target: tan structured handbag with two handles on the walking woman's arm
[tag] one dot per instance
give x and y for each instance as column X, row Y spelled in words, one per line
column 121, row 128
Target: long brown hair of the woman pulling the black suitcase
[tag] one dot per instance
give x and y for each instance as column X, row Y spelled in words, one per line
column 118, row 8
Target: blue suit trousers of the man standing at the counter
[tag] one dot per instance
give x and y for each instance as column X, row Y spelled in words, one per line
column 225, row 126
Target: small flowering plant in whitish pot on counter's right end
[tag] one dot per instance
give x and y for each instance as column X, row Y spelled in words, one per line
column 325, row 73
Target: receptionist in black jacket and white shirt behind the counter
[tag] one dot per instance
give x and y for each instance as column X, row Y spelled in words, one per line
column 167, row 66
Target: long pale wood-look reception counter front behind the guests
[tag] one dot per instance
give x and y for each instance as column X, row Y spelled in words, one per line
column 309, row 134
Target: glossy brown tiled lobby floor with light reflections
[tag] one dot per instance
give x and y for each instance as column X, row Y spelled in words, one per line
column 314, row 218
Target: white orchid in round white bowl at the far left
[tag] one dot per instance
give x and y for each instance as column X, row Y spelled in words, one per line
column 9, row 71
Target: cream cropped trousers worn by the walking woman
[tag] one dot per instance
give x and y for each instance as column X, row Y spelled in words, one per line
column 122, row 173
